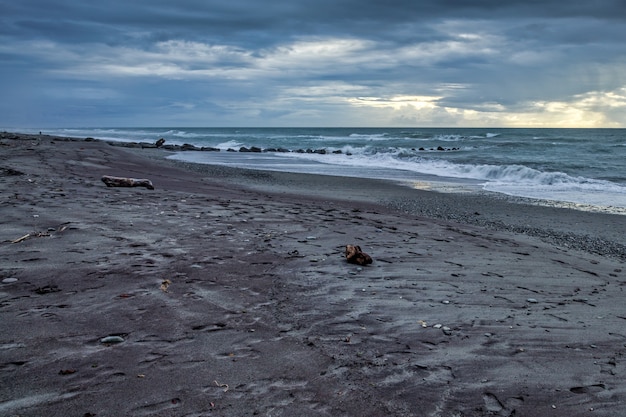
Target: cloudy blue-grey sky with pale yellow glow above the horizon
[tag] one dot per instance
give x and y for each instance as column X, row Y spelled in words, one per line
column 314, row 63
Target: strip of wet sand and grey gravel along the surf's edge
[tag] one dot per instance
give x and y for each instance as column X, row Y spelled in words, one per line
column 559, row 223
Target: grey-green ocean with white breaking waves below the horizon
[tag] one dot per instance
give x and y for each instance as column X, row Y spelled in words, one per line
column 581, row 167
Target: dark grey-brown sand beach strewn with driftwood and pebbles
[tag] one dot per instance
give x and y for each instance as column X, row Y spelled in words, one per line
column 225, row 292
